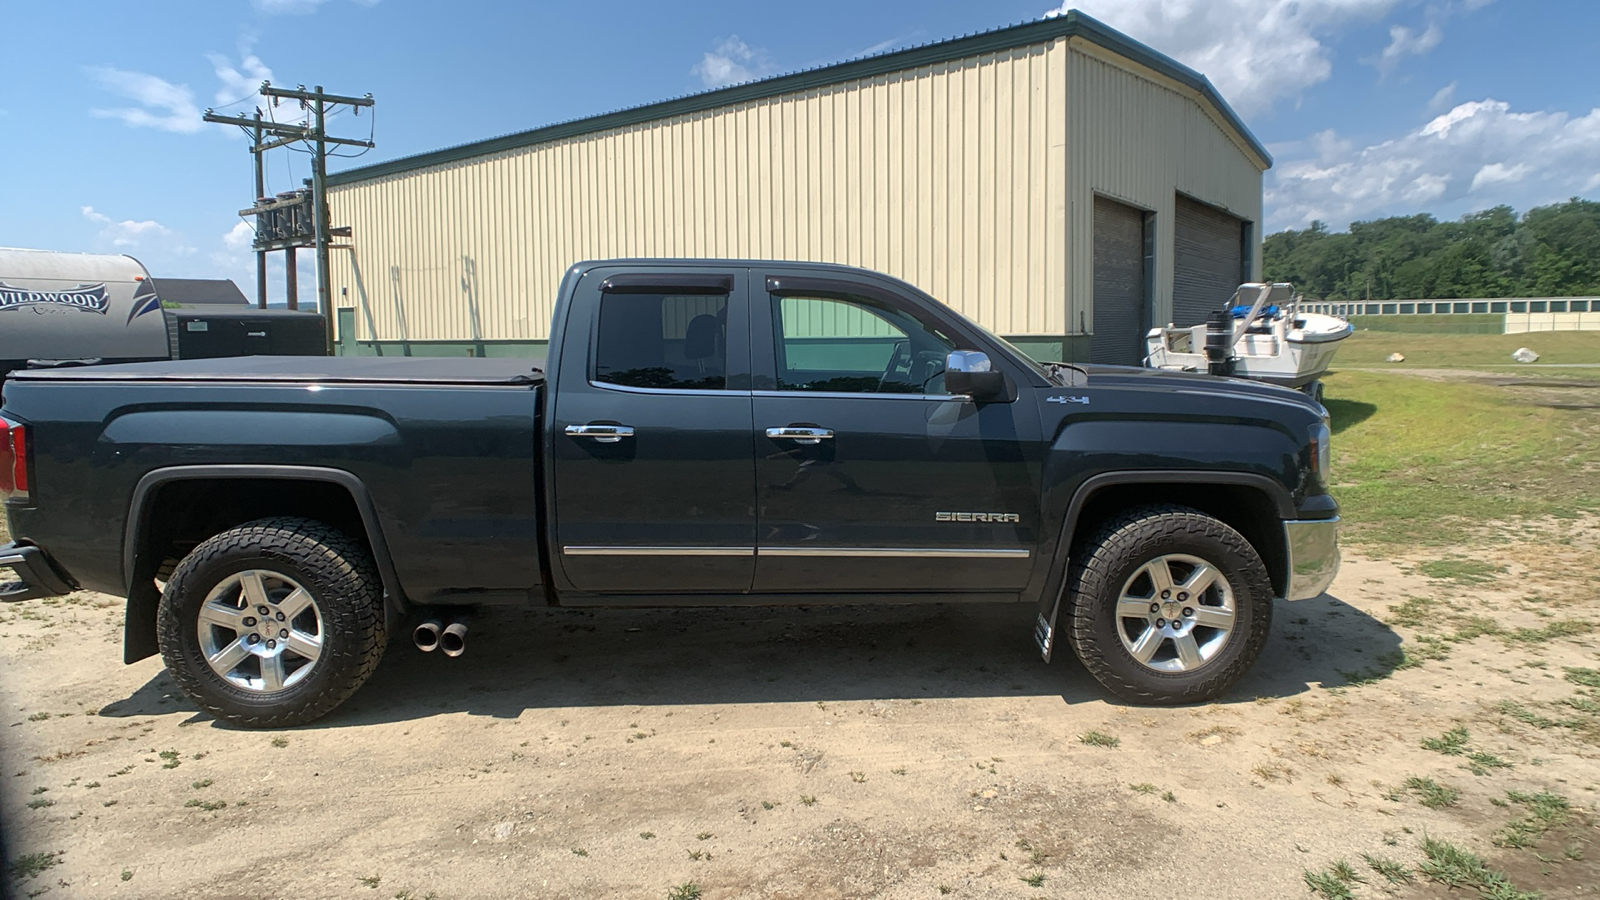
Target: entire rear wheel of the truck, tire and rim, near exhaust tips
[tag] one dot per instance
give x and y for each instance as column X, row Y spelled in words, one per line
column 273, row 624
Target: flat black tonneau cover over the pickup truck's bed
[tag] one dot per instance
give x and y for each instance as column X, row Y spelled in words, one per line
column 308, row 369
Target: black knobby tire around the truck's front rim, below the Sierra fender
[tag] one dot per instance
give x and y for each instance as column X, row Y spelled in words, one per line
column 1114, row 553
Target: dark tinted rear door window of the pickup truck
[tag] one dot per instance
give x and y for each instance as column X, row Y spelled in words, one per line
column 674, row 342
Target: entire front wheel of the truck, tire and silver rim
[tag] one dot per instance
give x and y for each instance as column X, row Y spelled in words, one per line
column 1169, row 606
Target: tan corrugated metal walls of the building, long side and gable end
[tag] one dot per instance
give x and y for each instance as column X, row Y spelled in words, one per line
column 953, row 177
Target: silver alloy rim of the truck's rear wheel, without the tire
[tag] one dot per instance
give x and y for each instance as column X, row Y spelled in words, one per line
column 262, row 632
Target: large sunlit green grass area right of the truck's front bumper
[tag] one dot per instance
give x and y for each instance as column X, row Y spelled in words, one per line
column 1423, row 462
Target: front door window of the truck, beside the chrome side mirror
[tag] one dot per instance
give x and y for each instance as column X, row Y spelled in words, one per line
column 857, row 347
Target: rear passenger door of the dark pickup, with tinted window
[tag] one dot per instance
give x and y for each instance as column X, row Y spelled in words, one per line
column 654, row 460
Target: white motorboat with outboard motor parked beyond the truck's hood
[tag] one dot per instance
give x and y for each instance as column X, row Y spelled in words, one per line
column 1262, row 334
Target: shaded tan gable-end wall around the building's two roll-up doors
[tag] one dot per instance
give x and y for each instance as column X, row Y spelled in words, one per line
column 1138, row 140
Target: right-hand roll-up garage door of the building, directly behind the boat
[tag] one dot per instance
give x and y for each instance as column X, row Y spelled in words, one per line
column 1209, row 260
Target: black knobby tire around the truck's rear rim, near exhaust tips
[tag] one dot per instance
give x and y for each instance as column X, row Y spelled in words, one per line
column 329, row 565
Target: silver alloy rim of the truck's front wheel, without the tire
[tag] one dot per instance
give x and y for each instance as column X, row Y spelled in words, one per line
column 1175, row 614
